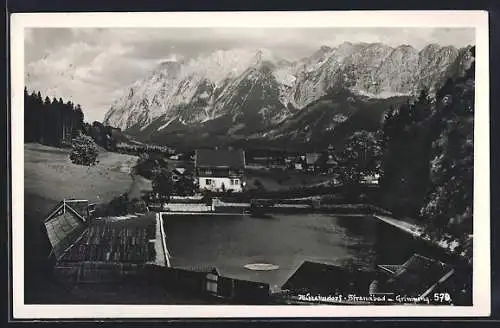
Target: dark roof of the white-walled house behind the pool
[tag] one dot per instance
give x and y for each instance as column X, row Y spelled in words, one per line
column 220, row 158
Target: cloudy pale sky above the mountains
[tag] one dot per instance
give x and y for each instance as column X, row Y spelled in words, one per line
column 93, row 66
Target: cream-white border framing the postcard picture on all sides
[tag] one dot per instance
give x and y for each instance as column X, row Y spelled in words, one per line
column 481, row 248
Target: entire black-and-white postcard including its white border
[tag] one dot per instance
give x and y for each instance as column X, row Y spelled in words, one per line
column 187, row 164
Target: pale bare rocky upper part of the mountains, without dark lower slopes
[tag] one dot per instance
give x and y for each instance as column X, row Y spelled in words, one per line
column 254, row 89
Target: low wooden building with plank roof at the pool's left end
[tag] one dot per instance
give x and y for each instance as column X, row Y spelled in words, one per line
column 104, row 249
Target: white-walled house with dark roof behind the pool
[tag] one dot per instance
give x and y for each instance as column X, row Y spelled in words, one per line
column 220, row 170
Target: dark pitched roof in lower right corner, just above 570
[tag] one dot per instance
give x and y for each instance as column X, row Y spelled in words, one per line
column 416, row 275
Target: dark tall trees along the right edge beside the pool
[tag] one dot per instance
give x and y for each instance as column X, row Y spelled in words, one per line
column 428, row 160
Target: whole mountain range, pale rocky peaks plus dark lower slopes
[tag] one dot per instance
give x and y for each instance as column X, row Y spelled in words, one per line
column 253, row 96
